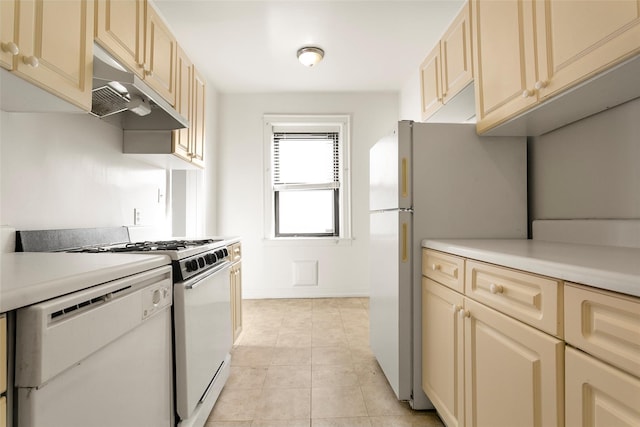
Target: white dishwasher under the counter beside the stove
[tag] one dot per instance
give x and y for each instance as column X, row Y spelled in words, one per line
column 100, row 357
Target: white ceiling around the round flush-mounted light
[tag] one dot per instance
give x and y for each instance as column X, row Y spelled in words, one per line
column 250, row 46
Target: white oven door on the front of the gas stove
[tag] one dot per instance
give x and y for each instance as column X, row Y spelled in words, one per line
column 203, row 336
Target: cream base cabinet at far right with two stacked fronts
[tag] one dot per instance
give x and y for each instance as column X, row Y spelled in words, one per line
column 602, row 357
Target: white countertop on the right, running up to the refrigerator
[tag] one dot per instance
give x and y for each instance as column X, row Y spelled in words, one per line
column 605, row 267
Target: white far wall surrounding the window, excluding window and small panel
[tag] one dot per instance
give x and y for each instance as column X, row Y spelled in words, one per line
column 343, row 270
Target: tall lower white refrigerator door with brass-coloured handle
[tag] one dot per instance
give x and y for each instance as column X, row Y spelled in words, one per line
column 390, row 297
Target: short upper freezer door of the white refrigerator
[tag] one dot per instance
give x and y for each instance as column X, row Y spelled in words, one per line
column 390, row 170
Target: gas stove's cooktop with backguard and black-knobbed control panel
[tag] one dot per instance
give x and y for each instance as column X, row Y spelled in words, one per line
column 189, row 257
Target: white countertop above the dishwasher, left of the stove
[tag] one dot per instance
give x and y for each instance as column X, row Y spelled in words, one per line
column 30, row 277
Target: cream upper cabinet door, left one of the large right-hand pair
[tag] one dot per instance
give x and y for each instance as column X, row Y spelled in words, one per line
column 504, row 59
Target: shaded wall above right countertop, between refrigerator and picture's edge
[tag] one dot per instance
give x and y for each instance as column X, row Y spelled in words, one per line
column 588, row 169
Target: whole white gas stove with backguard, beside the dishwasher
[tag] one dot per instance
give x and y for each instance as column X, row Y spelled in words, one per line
column 202, row 332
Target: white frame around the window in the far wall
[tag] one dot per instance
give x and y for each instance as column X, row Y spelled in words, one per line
column 276, row 123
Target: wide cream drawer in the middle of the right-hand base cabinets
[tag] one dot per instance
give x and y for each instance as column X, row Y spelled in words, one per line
column 532, row 299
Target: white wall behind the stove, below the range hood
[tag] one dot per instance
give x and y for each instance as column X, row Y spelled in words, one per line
column 66, row 170
